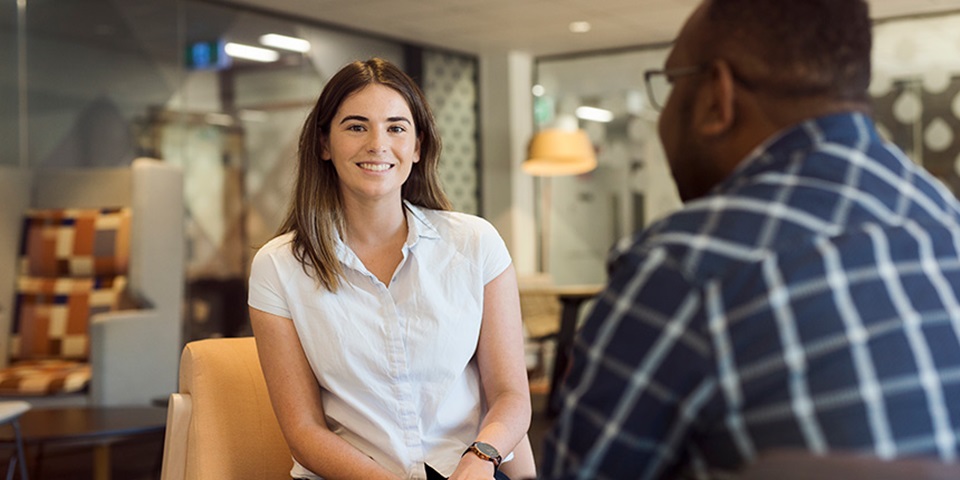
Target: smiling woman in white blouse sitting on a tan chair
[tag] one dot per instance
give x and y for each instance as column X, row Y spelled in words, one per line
column 374, row 290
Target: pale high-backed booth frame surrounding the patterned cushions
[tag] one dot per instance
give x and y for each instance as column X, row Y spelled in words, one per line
column 132, row 352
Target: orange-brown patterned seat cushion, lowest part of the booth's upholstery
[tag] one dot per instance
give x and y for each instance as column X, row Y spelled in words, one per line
column 44, row 377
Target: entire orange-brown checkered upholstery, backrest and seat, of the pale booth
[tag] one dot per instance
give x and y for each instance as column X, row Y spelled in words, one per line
column 73, row 264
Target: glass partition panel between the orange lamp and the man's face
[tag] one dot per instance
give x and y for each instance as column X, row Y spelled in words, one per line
column 586, row 214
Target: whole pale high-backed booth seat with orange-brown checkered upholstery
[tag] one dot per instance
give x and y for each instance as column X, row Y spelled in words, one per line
column 131, row 354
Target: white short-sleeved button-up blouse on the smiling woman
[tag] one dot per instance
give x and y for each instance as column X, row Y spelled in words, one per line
column 396, row 364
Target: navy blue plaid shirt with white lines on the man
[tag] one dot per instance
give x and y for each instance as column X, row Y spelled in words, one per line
column 811, row 300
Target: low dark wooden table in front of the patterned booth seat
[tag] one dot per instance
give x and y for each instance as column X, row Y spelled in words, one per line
column 98, row 427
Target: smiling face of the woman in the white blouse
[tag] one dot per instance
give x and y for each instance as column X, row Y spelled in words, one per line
column 373, row 144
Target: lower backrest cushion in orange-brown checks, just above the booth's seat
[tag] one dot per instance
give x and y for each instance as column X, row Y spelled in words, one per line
column 53, row 315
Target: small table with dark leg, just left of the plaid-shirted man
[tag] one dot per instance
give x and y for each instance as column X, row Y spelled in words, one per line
column 571, row 299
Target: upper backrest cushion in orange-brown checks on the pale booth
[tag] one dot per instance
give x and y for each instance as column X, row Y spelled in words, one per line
column 75, row 242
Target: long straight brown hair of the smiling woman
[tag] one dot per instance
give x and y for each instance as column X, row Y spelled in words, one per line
column 316, row 210
